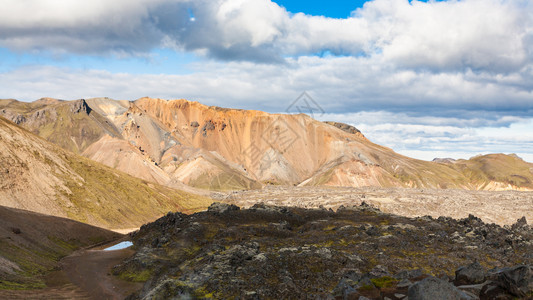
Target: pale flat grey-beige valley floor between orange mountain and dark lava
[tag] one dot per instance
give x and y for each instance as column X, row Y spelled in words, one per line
column 502, row 208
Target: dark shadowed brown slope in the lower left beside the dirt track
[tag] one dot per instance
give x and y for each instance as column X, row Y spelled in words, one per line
column 32, row 244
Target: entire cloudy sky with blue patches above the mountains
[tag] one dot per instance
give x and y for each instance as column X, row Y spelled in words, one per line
column 425, row 78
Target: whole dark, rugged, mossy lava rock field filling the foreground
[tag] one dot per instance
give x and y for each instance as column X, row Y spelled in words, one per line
column 270, row 252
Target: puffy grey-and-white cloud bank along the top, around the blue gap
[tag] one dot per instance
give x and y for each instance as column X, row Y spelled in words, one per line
column 487, row 35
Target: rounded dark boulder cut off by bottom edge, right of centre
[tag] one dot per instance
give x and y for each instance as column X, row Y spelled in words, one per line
column 433, row 288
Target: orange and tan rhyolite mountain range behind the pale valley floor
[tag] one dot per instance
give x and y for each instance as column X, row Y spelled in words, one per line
column 181, row 142
